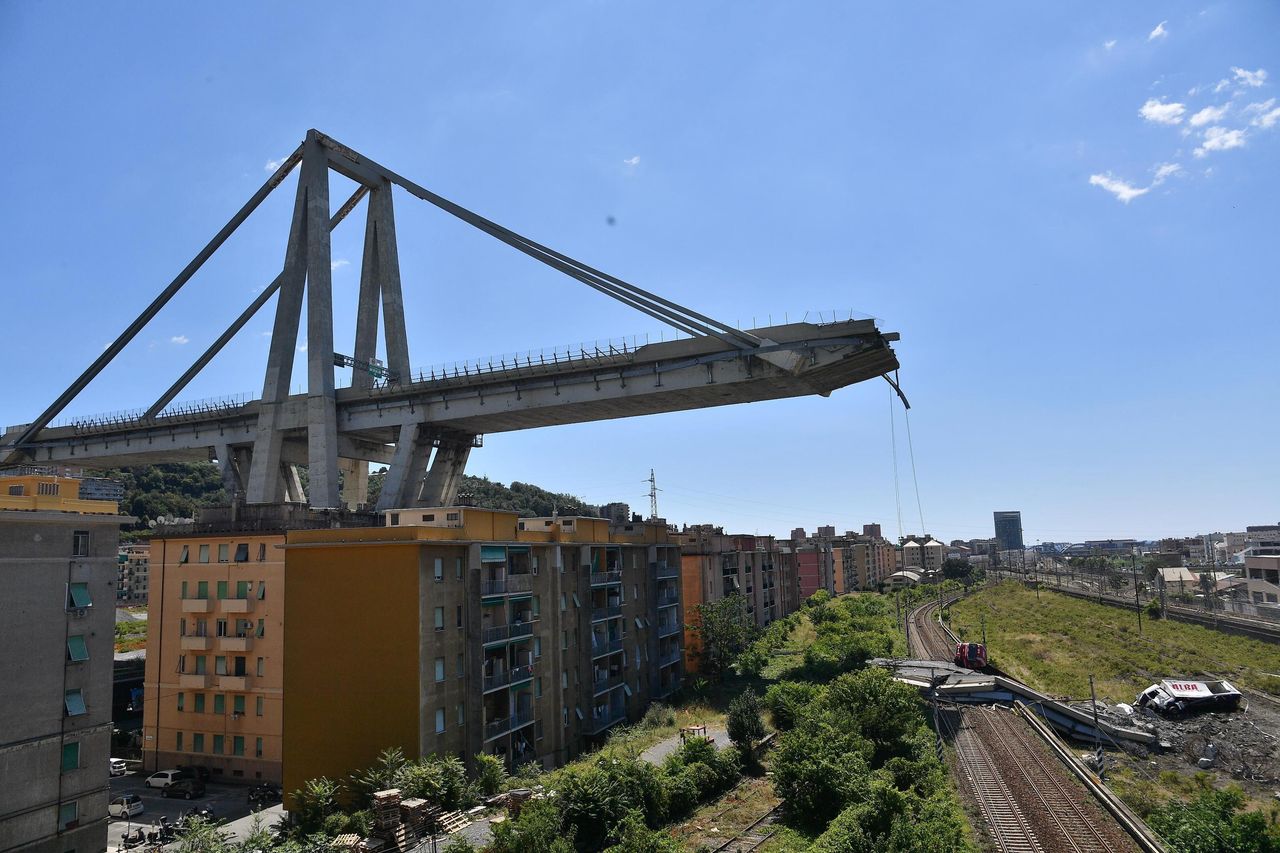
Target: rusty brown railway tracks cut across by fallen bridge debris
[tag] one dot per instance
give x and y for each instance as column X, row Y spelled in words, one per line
column 1026, row 796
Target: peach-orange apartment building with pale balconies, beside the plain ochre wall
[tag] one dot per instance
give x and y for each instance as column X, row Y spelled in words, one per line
column 214, row 679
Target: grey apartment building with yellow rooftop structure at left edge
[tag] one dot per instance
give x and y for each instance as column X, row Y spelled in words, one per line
column 58, row 558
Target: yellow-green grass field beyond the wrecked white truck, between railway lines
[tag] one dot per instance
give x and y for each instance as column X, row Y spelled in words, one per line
column 1055, row 644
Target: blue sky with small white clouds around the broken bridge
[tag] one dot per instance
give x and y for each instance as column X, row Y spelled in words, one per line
column 1089, row 332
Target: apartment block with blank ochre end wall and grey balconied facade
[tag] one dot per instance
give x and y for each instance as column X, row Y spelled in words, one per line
column 464, row 631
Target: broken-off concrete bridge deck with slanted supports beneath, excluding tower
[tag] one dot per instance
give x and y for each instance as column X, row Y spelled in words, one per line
column 424, row 431
